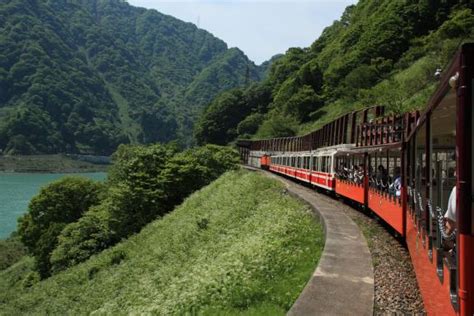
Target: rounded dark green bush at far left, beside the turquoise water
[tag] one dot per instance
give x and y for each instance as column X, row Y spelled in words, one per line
column 58, row 204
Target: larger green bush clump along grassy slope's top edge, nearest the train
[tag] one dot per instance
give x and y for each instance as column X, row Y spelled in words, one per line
column 145, row 183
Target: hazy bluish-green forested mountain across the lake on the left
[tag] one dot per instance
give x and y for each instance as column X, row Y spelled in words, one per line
column 86, row 75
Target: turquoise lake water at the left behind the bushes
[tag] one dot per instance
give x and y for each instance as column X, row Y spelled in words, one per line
column 16, row 191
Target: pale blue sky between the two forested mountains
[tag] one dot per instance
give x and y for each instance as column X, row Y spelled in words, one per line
column 260, row 28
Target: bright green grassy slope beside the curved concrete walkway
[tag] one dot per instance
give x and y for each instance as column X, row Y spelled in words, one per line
column 240, row 245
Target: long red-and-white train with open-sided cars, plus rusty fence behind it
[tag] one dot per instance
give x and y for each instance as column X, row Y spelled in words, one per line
column 409, row 169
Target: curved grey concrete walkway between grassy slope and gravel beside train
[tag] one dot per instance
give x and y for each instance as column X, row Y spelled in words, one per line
column 343, row 283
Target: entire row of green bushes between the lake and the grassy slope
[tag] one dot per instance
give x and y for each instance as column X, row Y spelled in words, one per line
column 73, row 218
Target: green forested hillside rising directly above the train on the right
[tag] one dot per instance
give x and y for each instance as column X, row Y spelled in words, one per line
column 380, row 52
